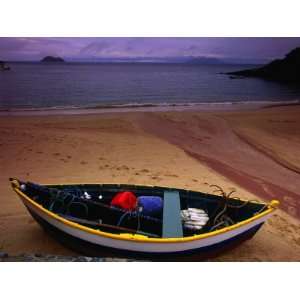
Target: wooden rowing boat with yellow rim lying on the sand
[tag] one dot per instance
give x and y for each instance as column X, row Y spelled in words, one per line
column 92, row 225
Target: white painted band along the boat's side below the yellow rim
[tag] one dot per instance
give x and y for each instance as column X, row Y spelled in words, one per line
column 136, row 245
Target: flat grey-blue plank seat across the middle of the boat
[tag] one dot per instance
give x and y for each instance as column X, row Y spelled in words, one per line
column 172, row 225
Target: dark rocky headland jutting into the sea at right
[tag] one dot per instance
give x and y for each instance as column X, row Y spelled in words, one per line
column 283, row 70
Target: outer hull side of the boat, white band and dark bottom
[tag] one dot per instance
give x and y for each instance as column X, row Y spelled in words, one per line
column 92, row 244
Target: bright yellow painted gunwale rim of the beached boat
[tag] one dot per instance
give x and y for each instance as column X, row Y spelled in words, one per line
column 139, row 237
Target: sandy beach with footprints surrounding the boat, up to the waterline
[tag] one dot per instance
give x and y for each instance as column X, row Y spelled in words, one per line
column 254, row 152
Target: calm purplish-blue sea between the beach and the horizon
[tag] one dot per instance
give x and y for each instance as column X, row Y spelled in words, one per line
column 34, row 85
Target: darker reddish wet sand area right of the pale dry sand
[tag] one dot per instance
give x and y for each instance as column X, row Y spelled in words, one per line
column 255, row 149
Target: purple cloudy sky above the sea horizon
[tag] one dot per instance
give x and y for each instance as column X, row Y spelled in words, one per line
column 246, row 49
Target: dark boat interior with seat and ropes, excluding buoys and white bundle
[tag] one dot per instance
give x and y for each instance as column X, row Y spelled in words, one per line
column 96, row 212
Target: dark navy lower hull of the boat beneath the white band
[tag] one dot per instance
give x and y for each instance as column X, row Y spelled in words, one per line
column 92, row 249
